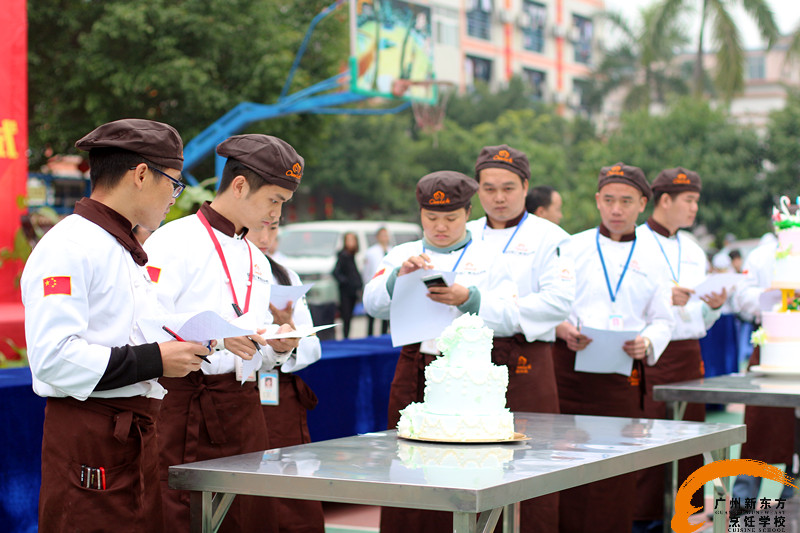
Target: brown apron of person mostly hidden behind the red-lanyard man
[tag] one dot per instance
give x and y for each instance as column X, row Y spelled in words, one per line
column 287, row 426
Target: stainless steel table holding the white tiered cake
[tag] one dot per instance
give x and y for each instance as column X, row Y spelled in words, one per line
column 473, row 481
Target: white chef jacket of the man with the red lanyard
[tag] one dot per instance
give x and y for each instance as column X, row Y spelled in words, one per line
column 192, row 279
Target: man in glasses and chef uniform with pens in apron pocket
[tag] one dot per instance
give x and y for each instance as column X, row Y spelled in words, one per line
column 84, row 287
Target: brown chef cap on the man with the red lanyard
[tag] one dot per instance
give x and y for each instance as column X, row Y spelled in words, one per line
column 271, row 158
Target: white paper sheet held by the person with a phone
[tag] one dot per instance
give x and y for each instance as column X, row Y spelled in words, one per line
column 413, row 316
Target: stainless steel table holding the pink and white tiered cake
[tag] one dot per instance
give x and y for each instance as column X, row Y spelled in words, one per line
column 749, row 389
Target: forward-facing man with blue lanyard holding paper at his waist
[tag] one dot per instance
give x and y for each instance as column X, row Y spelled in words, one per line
column 619, row 287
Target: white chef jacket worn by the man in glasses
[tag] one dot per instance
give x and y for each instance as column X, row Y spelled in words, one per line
column 70, row 336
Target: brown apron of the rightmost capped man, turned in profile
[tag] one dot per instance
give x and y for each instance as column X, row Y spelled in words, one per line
column 681, row 361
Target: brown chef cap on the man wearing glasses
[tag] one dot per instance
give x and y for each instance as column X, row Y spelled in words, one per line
column 154, row 141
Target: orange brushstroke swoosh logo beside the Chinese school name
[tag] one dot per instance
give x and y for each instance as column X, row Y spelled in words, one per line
column 717, row 469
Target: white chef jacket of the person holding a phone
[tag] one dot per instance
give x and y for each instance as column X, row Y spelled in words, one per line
column 478, row 267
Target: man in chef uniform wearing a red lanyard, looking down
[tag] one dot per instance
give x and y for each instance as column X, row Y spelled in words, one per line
column 203, row 262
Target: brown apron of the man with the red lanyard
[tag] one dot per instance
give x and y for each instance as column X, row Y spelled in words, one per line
column 207, row 417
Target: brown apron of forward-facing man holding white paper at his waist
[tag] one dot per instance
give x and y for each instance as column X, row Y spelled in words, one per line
column 606, row 505
